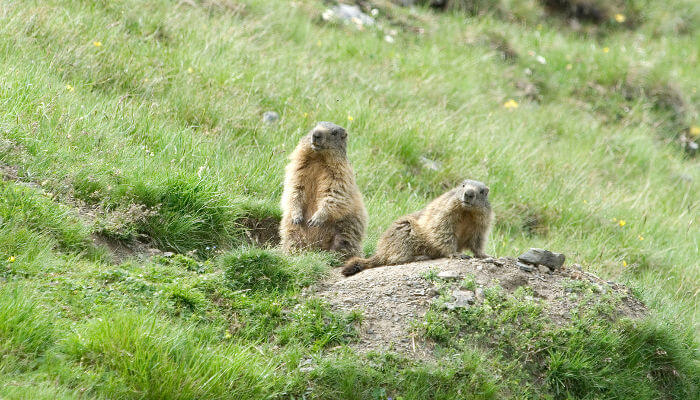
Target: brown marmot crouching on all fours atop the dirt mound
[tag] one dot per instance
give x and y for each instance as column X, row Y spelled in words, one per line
column 459, row 219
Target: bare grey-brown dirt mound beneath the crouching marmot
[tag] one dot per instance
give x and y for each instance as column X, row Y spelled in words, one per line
column 393, row 300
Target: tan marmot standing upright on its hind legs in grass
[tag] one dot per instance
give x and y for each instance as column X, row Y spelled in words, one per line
column 322, row 206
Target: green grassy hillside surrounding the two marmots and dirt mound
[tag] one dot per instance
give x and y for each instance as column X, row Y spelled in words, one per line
column 141, row 122
